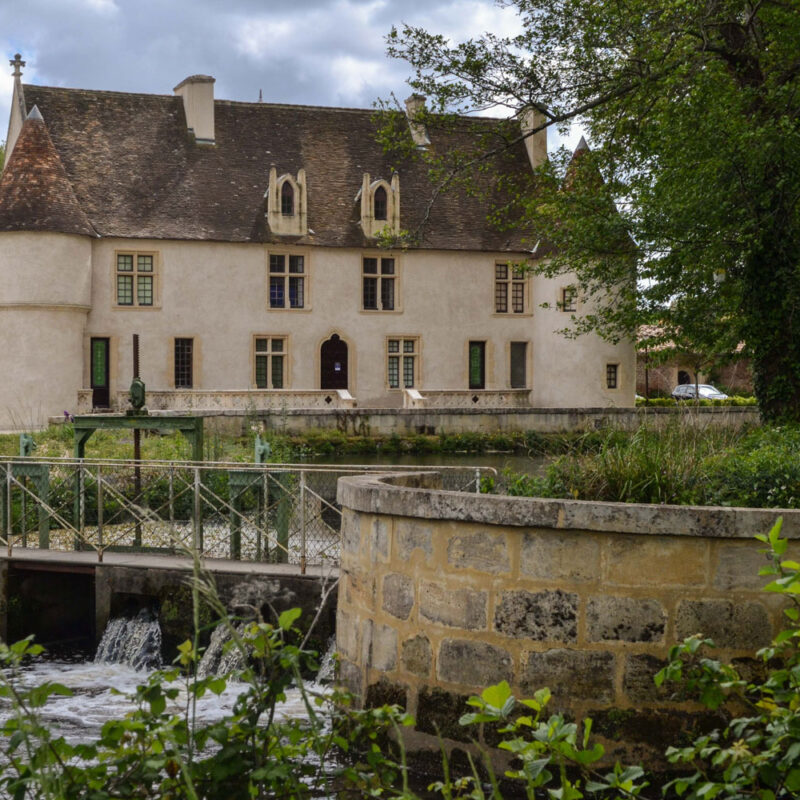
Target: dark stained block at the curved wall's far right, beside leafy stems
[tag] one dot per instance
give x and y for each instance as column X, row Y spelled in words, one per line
column 740, row 626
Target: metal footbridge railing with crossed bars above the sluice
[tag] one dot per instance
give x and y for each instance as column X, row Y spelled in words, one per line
column 281, row 513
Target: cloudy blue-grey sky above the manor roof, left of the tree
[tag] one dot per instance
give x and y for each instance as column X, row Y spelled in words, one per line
column 321, row 52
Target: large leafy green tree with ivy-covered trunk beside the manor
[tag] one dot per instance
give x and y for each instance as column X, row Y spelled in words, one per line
column 693, row 111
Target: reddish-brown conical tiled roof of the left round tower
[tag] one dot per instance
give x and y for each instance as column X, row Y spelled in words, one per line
column 35, row 193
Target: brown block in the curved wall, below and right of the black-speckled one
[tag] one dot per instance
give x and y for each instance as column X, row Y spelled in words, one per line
column 570, row 674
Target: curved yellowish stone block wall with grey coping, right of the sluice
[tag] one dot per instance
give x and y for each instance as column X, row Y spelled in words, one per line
column 443, row 593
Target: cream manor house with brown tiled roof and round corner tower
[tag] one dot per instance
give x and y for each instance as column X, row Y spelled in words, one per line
column 270, row 256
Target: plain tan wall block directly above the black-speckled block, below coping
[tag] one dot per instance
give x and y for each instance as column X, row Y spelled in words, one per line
column 560, row 556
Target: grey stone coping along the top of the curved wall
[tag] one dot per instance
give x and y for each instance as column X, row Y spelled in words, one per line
column 416, row 495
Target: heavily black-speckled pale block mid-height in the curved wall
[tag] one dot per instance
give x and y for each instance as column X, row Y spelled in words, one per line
column 544, row 616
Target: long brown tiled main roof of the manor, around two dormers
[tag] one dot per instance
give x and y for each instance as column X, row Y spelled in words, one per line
column 136, row 172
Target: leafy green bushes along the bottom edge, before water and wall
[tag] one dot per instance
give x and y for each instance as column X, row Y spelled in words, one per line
column 161, row 750
